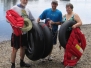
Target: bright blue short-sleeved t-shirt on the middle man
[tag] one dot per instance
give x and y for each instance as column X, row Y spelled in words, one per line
column 55, row 16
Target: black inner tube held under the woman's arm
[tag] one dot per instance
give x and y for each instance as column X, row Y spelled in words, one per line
column 63, row 31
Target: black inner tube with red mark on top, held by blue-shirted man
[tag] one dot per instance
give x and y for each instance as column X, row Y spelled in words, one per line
column 47, row 38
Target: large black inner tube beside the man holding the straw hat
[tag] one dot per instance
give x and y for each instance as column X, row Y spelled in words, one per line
column 35, row 48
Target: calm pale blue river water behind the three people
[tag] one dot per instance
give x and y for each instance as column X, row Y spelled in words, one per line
column 81, row 7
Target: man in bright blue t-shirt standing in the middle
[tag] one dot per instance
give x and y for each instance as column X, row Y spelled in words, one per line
column 55, row 17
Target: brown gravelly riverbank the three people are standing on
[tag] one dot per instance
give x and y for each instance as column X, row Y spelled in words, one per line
column 57, row 54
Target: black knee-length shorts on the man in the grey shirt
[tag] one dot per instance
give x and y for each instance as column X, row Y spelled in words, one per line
column 18, row 41
